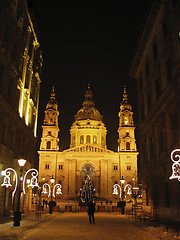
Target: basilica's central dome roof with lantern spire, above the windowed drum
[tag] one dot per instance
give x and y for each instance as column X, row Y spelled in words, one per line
column 88, row 111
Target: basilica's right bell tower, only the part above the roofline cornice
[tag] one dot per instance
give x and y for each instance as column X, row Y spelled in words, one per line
column 126, row 128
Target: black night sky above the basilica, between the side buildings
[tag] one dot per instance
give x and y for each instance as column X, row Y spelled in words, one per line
column 81, row 47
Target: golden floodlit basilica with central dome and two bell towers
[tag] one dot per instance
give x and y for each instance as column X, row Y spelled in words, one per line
column 88, row 153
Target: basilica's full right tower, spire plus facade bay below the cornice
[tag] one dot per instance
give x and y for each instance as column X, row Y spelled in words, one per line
column 127, row 142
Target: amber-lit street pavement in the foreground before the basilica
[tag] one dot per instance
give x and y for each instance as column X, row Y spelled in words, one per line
column 76, row 226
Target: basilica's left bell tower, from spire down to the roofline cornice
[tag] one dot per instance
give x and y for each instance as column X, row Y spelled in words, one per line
column 50, row 129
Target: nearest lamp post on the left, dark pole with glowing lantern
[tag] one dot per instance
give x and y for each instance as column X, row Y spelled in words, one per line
column 17, row 212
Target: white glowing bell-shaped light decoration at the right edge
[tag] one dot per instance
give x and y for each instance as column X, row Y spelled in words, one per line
column 175, row 157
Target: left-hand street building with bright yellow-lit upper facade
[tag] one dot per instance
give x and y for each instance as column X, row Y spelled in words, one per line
column 20, row 67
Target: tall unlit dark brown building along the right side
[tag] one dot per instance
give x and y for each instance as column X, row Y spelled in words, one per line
column 156, row 67
